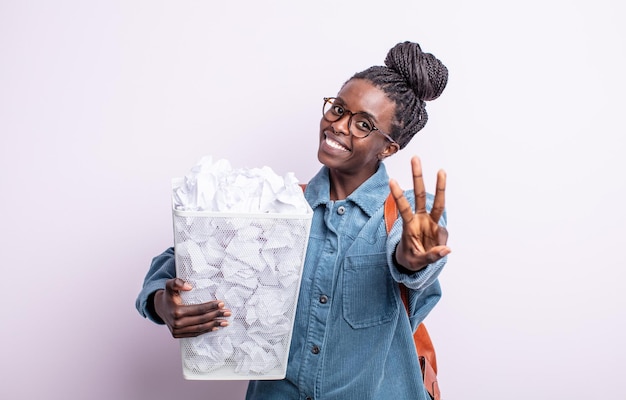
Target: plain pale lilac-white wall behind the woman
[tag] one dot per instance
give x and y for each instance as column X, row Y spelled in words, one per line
column 103, row 102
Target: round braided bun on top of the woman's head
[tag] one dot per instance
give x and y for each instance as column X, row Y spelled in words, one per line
column 423, row 72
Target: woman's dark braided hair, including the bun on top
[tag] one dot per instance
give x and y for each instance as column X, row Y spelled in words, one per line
column 409, row 78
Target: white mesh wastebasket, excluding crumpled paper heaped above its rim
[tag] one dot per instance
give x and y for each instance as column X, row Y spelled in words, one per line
column 253, row 262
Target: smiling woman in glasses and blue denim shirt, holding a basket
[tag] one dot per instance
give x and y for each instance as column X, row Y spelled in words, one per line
column 349, row 298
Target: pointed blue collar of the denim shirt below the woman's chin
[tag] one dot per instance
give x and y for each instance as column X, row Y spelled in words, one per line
column 370, row 196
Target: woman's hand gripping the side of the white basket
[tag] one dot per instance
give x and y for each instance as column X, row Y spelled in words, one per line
column 188, row 320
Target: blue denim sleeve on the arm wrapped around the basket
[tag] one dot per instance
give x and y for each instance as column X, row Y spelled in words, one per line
column 162, row 268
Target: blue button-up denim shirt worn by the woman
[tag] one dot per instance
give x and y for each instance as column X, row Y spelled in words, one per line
column 352, row 337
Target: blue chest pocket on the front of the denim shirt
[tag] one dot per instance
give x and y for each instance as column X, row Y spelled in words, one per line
column 369, row 297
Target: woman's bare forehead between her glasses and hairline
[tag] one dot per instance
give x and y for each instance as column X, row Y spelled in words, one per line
column 360, row 95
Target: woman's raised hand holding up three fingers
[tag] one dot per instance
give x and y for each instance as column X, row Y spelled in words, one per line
column 423, row 240
